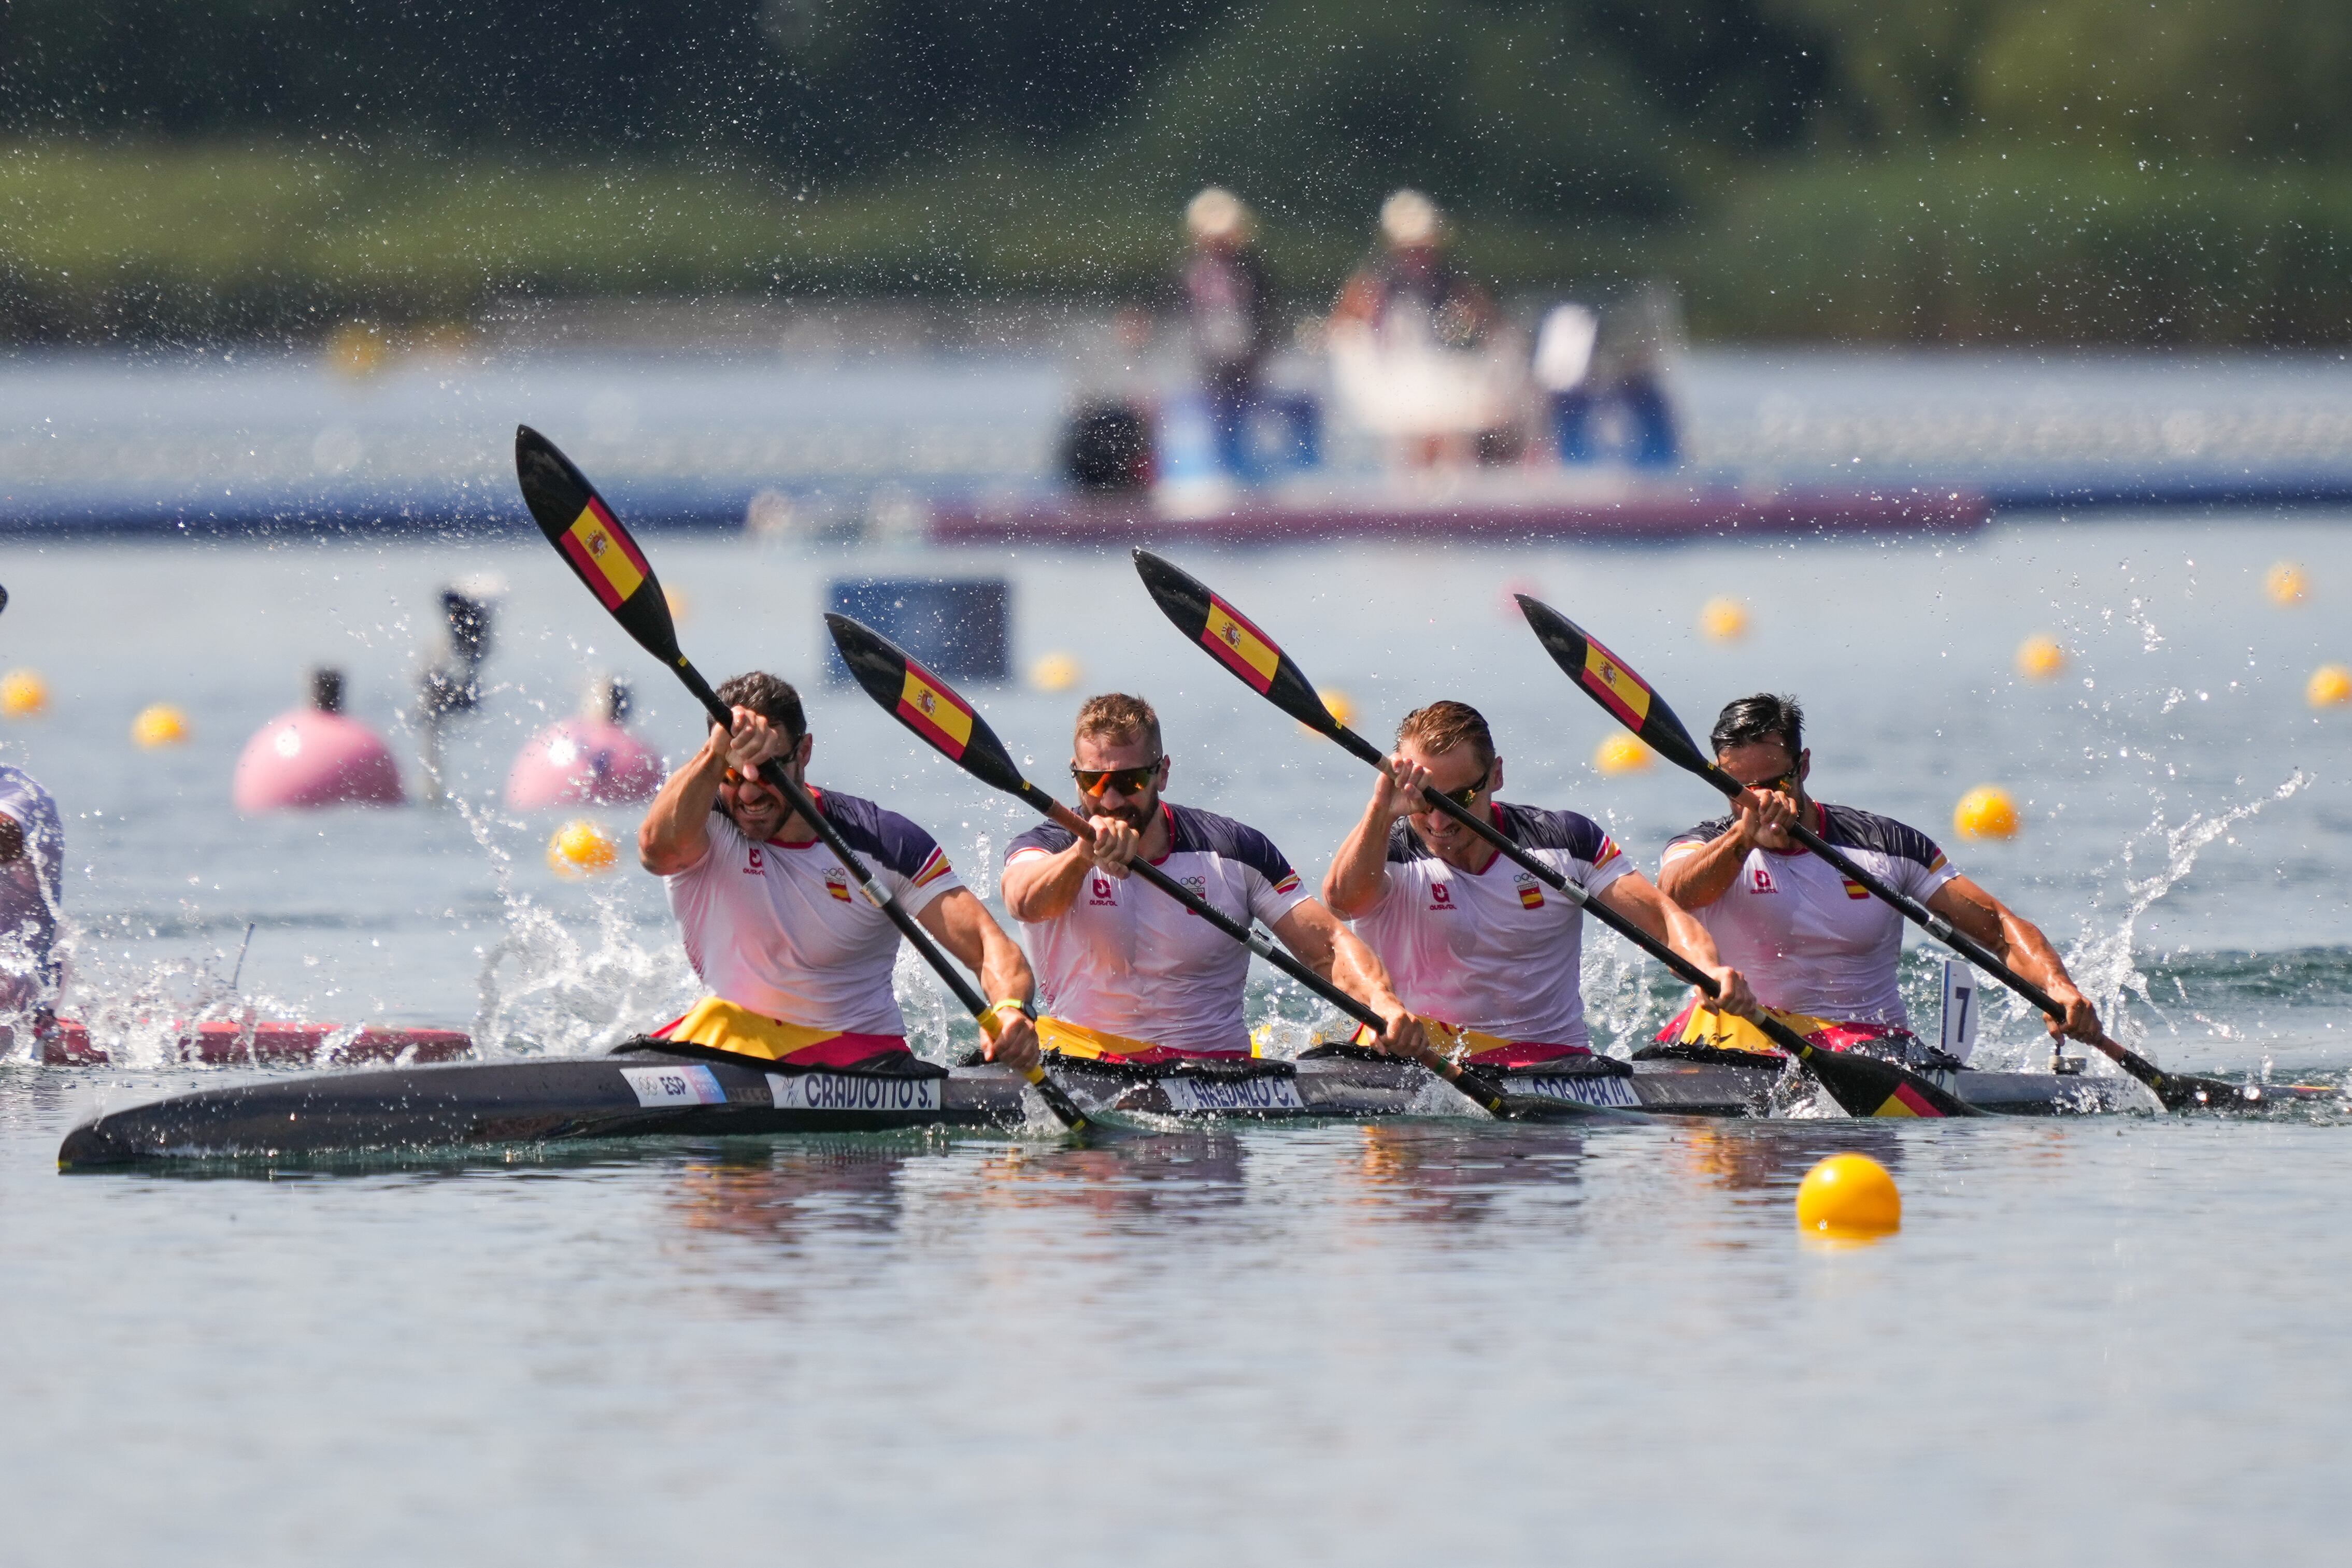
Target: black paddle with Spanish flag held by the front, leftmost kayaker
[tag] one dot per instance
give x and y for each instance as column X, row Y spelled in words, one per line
column 615, row 570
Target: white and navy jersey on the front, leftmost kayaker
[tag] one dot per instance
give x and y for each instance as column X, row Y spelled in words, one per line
column 782, row 930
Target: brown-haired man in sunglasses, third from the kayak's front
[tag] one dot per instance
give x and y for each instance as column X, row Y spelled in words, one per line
column 1485, row 956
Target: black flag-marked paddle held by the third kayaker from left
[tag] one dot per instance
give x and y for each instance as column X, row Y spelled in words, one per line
column 1862, row 1085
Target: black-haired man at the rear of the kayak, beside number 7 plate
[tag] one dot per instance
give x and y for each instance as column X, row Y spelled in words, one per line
column 1819, row 949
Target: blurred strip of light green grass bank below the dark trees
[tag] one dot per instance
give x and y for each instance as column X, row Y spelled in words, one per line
column 211, row 241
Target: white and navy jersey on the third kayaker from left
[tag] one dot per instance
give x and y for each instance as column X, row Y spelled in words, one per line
column 1495, row 951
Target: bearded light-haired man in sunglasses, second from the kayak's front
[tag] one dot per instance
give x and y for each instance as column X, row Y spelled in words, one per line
column 1132, row 974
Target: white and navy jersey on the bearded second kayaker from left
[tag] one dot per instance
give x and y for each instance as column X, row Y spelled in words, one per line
column 1130, row 960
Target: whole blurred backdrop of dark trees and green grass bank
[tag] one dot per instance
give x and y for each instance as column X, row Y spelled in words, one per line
column 1935, row 168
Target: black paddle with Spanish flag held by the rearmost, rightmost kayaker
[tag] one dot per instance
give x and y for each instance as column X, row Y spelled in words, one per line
column 1631, row 702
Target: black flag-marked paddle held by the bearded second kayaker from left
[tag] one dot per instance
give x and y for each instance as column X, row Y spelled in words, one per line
column 963, row 737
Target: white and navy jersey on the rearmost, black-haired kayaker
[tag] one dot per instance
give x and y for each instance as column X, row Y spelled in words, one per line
column 1808, row 939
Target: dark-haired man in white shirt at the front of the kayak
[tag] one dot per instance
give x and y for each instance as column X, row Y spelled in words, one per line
column 799, row 963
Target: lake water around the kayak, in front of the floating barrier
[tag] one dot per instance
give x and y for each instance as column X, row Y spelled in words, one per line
column 1441, row 1341
